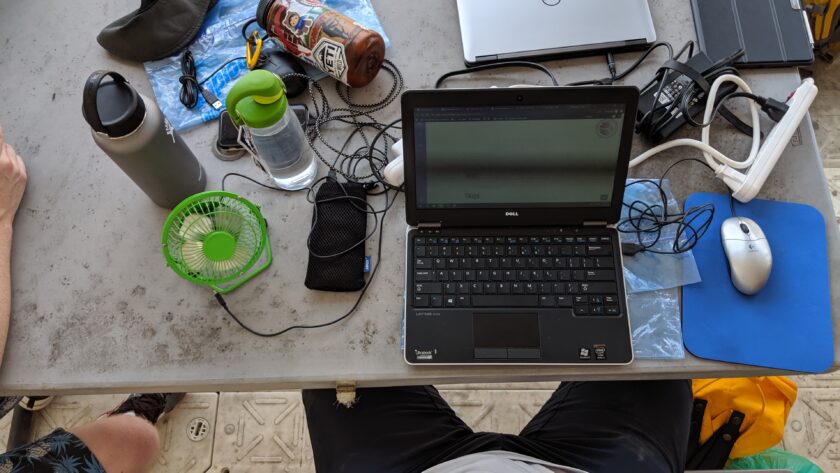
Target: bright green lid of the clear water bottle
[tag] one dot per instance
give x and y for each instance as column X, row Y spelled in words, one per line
column 257, row 100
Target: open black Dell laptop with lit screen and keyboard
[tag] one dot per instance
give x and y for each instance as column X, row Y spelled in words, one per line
column 511, row 197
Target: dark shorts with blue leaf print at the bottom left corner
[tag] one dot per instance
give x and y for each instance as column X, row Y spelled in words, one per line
column 58, row 451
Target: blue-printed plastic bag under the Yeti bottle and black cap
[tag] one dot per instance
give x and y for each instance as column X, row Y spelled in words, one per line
column 220, row 47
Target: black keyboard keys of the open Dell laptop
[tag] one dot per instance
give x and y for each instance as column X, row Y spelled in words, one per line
column 574, row 272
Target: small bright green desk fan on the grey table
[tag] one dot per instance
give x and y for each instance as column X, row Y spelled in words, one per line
column 214, row 239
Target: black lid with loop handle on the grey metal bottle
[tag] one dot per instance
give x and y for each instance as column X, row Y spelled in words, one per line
column 113, row 107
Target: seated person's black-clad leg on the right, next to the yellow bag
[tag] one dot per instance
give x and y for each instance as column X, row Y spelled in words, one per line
column 615, row 426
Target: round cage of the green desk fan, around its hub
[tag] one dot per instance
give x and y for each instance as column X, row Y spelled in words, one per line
column 196, row 218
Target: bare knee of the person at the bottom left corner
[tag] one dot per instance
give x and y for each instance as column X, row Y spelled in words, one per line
column 121, row 443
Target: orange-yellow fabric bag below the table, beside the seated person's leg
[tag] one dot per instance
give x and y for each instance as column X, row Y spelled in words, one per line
column 765, row 401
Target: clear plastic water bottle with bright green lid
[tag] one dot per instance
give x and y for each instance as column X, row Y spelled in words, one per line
column 258, row 101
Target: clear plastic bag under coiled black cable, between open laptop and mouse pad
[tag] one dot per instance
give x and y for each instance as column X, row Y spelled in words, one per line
column 652, row 271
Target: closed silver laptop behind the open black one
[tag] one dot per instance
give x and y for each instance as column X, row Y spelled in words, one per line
column 500, row 30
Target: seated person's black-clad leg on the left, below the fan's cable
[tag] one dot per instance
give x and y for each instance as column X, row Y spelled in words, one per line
column 388, row 429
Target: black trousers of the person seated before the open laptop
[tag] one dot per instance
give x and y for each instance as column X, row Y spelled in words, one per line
column 598, row 427
